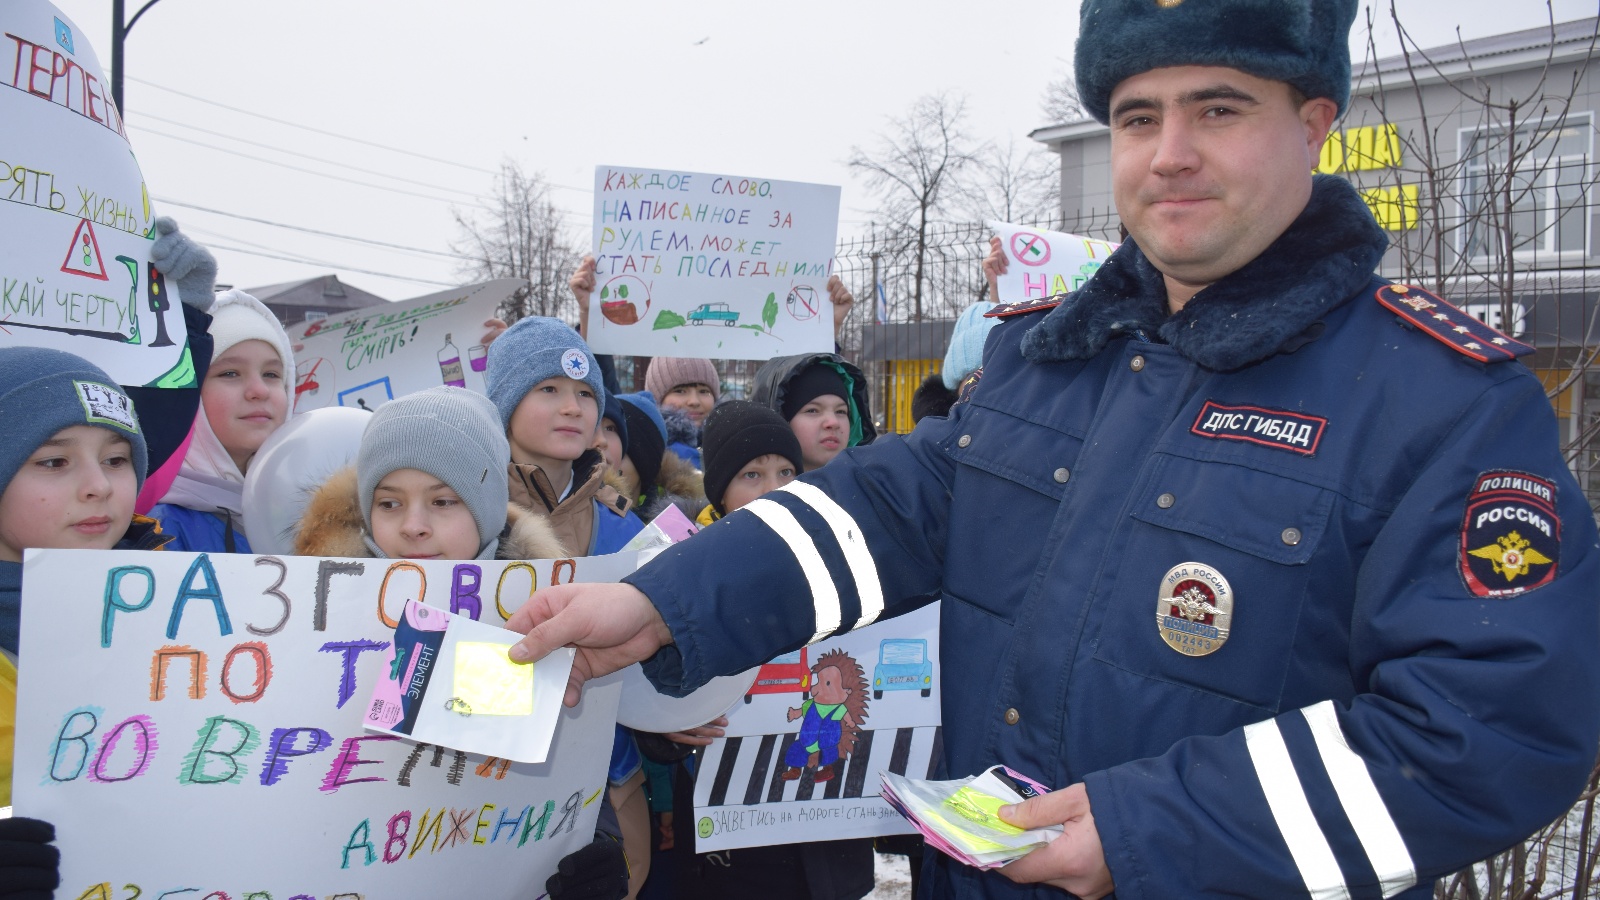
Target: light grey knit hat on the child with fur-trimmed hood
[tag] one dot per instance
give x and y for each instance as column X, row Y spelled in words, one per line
column 452, row 435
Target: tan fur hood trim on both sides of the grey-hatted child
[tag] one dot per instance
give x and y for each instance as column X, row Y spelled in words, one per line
column 332, row 526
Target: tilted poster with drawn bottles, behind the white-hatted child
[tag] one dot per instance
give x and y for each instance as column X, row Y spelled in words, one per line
column 370, row 356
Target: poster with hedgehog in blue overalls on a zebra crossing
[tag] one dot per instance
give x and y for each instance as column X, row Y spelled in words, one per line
column 807, row 750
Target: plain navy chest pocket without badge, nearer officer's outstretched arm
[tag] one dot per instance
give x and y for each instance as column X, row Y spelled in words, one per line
column 1010, row 475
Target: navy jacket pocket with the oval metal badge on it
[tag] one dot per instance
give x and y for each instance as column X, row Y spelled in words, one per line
column 1215, row 573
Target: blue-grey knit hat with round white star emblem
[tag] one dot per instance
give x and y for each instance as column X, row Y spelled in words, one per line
column 530, row 352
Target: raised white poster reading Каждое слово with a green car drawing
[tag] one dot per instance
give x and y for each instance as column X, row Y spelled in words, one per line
column 710, row 265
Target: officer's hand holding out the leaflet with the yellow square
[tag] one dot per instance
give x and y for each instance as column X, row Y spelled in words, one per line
column 610, row 625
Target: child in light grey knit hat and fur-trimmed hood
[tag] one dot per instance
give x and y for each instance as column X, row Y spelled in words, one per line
column 430, row 483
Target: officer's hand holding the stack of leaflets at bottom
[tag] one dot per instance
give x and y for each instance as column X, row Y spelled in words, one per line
column 1073, row 862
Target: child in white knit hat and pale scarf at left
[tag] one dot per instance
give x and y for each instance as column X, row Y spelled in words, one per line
column 246, row 396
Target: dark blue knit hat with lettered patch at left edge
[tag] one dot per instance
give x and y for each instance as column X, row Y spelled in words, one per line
column 52, row 390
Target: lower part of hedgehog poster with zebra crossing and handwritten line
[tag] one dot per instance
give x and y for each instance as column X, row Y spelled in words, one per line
column 738, row 774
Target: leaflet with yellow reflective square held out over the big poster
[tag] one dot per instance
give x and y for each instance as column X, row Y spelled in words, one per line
column 449, row 681
